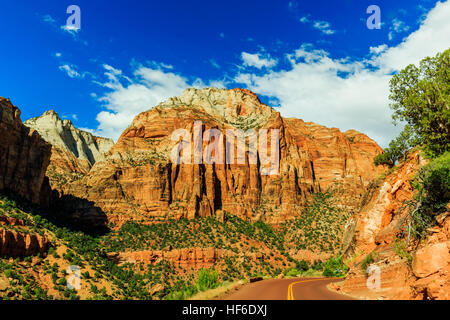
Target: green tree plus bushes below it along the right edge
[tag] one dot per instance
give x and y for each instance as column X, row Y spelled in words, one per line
column 420, row 97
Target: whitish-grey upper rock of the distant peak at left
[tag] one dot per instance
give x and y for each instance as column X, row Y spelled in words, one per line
column 62, row 133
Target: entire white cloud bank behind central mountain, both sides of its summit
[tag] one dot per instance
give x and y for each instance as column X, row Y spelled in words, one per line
column 343, row 93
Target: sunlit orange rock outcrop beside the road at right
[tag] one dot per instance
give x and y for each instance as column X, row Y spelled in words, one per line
column 414, row 271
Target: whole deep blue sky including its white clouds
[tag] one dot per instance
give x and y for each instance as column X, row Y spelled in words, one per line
column 314, row 60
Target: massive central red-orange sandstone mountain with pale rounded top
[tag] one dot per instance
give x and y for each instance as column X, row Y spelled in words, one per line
column 137, row 179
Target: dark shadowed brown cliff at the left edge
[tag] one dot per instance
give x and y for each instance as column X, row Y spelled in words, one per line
column 24, row 157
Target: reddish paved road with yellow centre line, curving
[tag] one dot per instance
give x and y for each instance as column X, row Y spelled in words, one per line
column 288, row 289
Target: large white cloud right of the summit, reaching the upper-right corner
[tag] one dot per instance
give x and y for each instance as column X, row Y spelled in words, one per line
column 346, row 93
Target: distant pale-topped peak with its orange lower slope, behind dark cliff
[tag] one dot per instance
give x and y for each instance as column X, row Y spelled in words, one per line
column 74, row 151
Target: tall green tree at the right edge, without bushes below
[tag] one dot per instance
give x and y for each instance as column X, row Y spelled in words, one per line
column 420, row 96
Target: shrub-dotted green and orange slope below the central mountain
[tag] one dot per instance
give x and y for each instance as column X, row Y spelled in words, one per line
column 256, row 249
